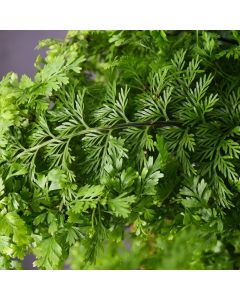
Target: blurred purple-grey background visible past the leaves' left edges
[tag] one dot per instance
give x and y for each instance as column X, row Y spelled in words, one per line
column 18, row 54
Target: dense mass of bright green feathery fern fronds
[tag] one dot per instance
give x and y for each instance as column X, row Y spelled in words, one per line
column 123, row 153
